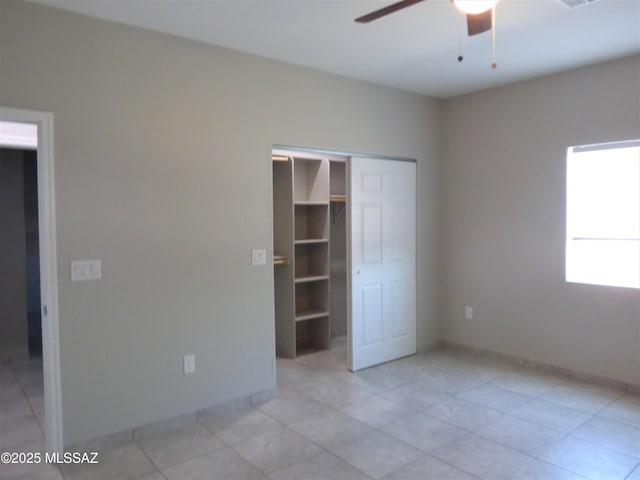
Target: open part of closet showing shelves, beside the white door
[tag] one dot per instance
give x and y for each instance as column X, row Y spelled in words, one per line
column 310, row 248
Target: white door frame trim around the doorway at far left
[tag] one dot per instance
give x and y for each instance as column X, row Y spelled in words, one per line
column 48, row 271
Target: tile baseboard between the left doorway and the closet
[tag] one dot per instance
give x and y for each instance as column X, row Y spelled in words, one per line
column 173, row 423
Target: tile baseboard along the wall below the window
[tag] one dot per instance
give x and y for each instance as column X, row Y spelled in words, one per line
column 540, row 366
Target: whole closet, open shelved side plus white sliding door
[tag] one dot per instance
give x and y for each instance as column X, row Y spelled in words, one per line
column 344, row 245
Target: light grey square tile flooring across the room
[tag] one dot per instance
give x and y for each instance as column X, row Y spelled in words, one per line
column 441, row 415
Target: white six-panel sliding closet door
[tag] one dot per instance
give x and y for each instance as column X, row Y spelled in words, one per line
column 382, row 227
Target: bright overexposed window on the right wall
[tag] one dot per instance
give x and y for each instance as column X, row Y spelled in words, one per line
column 603, row 214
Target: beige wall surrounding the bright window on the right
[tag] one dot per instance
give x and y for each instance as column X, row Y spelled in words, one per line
column 503, row 210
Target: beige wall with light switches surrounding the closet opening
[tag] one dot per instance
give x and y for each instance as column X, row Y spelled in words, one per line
column 162, row 151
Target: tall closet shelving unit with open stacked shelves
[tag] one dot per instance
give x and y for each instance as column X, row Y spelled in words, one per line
column 301, row 246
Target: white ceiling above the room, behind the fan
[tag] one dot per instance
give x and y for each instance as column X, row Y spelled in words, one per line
column 415, row 49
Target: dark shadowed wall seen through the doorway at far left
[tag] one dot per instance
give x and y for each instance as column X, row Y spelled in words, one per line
column 13, row 281
